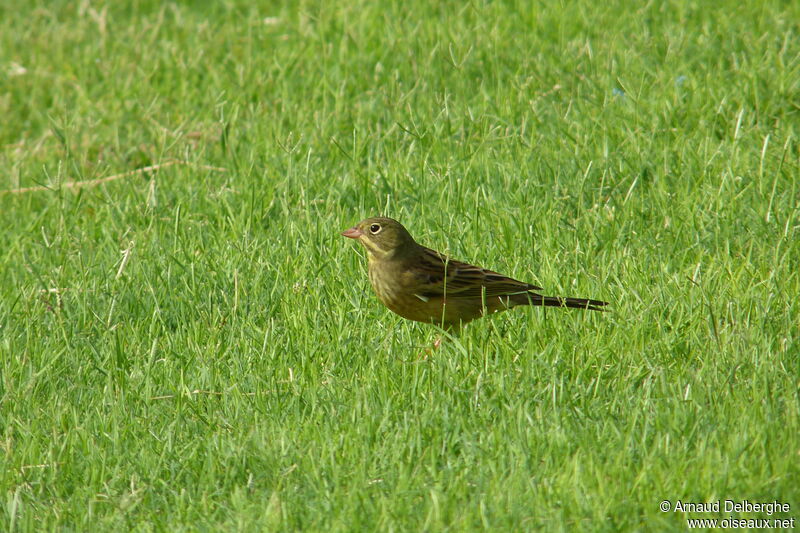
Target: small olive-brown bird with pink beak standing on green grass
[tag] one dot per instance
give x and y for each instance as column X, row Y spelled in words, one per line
column 424, row 285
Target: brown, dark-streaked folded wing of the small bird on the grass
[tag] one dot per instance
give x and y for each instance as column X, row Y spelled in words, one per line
column 436, row 275
